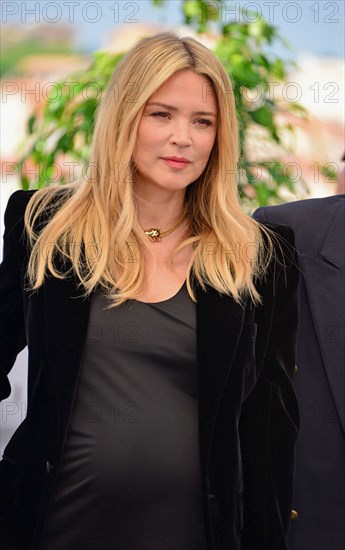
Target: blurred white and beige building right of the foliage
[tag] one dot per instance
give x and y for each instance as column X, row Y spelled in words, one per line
column 317, row 139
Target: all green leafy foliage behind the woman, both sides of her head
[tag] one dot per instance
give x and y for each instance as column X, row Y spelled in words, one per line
column 67, row 123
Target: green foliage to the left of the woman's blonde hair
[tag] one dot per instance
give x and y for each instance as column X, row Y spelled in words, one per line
column 65, row 130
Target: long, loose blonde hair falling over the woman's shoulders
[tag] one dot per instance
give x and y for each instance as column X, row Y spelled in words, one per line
column 97, row 211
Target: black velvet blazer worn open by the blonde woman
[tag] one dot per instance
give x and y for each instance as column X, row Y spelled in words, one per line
column 248, row 413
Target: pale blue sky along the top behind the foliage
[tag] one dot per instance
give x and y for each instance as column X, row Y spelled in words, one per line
column 311, row 26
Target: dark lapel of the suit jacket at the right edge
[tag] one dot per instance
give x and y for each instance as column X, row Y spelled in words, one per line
column 324, row 272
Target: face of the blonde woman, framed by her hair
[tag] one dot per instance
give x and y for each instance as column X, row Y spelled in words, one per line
column 179, row 122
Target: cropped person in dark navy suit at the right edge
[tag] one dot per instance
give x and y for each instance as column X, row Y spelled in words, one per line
column 319, row 227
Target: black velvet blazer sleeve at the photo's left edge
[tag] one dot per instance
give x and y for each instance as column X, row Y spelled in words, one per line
column 12, row 324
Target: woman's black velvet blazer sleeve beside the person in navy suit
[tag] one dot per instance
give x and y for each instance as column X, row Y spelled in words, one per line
column 270, row 416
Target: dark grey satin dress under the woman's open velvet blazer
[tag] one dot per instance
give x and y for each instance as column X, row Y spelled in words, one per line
column 130, row 476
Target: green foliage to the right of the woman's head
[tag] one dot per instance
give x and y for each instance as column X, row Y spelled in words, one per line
column 255, row 74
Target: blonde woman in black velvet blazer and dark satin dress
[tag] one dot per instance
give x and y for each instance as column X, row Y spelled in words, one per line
column 160, row 321
